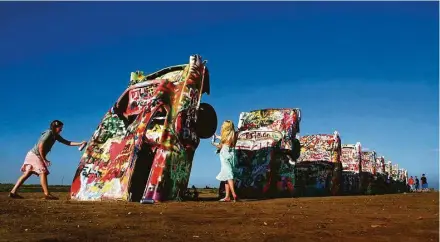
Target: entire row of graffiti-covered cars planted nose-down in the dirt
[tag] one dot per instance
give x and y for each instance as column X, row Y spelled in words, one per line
column 143, row 148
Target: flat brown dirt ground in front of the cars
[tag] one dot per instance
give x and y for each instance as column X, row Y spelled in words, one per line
column 399, row 217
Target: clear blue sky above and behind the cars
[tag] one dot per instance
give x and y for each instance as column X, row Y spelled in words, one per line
column 366, row 69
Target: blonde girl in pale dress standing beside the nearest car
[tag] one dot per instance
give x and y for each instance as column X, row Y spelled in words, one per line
column 227, row 158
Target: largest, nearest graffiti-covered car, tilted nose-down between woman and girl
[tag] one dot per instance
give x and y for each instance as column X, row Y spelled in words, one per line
column 144, row 146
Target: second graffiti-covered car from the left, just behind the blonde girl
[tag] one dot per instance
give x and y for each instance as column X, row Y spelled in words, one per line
column 266, row 148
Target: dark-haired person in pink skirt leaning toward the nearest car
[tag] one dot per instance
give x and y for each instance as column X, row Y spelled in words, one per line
column 36, row 161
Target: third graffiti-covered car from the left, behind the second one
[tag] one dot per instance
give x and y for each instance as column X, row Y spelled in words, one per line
column 319, row 167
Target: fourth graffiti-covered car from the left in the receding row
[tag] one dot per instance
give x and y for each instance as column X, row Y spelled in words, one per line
column 351, row 165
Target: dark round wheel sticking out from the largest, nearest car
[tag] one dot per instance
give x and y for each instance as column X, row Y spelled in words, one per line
column 206, row 121
